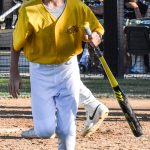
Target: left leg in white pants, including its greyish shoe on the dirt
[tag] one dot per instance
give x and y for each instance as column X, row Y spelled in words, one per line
column 43, row 105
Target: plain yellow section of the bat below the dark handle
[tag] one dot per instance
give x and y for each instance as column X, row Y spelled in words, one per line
column 109, row 74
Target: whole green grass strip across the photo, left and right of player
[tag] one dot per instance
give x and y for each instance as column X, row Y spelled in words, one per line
column 99, row 87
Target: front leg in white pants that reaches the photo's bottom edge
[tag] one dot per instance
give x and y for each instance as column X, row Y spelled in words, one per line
column 67, row 106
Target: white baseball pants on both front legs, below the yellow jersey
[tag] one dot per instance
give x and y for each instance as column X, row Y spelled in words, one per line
column 55, row 97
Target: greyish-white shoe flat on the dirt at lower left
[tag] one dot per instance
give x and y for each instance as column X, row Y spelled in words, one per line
column 30, row 134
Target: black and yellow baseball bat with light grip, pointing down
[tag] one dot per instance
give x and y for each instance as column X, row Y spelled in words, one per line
column 120, row 96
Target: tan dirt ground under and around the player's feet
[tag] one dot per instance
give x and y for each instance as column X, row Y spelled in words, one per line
column 113, row 134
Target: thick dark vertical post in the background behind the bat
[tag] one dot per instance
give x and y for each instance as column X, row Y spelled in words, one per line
column 113, row 51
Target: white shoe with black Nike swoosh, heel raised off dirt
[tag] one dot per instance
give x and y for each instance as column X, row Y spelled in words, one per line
column 95, row 119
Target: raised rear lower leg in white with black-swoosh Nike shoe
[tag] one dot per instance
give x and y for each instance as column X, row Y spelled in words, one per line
column 96, row 111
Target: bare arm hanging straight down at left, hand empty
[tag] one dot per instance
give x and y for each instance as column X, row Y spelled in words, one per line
column 14, row 84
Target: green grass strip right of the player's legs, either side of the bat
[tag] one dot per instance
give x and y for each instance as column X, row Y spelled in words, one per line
column 132, row 87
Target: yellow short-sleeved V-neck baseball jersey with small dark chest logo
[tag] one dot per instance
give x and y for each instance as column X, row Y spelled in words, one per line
column 47, row 40
